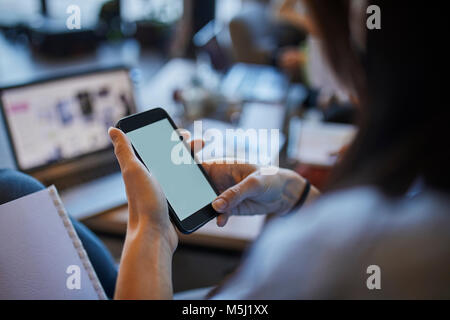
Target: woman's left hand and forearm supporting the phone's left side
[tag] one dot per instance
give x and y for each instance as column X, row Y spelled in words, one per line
column 151, row 238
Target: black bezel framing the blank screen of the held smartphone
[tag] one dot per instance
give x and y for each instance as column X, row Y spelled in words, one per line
column 202, row 216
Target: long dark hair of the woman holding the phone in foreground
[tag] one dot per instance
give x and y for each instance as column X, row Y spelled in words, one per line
column 401, row 136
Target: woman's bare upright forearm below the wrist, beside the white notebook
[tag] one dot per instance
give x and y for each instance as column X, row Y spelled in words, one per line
column 146, row 267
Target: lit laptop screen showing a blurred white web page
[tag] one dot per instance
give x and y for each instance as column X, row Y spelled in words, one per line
column 62, row 119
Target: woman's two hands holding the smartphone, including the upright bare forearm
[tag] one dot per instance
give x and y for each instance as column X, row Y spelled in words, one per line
column 151, row 237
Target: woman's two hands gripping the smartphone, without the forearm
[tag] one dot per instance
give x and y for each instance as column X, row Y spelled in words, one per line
column 244, row 189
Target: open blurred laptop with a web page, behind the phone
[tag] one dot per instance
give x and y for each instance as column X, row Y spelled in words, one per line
column 57, row 129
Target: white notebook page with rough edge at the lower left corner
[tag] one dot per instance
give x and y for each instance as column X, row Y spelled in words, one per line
column 41, row 256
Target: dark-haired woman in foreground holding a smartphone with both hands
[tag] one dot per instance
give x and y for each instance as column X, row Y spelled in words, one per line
column 368, row 215
